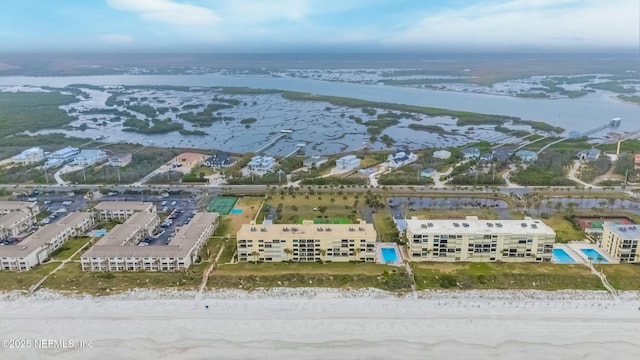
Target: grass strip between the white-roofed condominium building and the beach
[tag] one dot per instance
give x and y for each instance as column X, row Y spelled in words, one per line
column 539, row 276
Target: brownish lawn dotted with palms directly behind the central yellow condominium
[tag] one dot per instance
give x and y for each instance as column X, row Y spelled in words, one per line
column 298, row 207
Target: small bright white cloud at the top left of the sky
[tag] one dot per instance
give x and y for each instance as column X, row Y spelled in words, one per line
column 168, row 12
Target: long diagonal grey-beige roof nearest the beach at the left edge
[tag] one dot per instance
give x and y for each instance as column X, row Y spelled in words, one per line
column 43, row 235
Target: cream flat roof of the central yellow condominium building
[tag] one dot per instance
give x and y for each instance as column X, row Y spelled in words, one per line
column 307, row 230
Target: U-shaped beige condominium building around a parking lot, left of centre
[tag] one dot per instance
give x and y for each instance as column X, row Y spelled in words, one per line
column 118, row 250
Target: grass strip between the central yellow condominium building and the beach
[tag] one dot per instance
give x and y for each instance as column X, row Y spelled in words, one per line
column 336, row 275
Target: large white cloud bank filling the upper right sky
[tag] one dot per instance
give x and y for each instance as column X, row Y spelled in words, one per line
column 544, row 23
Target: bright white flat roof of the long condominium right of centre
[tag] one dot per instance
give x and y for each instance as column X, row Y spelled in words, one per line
column 476, row 226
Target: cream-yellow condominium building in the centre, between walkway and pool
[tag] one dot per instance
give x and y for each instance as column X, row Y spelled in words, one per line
column 306, row 242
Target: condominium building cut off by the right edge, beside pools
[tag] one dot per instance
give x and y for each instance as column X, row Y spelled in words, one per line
column 621, row 242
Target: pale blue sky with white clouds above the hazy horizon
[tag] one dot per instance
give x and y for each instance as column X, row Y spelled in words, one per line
column 316, row 25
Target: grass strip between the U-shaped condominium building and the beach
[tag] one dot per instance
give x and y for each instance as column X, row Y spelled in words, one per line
column 71, row 278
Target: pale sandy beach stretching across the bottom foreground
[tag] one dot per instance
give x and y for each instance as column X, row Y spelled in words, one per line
column 325, row 323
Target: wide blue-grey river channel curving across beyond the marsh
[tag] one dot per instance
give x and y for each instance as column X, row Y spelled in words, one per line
column 579, row 114
